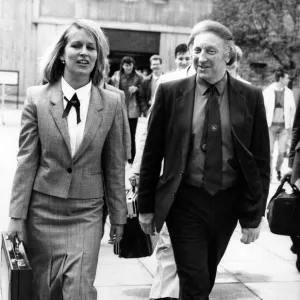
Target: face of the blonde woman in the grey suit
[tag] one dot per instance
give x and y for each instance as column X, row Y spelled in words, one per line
column 80, row 55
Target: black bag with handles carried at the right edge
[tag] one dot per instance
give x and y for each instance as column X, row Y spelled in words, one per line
column 284, row 211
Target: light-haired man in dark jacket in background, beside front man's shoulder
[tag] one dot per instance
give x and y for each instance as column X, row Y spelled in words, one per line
column 149, row 84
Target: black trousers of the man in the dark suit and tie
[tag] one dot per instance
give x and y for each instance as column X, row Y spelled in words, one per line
column 200, row 227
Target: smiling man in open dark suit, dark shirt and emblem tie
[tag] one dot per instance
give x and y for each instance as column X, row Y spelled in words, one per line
column 216, row 172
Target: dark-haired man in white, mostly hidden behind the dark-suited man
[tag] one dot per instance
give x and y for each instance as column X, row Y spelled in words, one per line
column 165, row 282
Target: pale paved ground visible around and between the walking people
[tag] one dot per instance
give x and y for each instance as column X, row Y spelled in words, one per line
column 263, row 270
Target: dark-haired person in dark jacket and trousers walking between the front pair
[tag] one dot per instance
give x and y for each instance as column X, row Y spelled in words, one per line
column 129, row 81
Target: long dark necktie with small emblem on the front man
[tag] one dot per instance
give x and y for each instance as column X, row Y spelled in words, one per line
column 212, row 144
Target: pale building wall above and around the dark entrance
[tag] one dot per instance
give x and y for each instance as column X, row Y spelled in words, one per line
column 28, row 27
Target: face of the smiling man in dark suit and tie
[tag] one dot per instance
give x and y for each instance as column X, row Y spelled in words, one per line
column 209, row 57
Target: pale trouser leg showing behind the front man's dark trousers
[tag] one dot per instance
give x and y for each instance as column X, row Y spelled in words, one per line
column 165, row 282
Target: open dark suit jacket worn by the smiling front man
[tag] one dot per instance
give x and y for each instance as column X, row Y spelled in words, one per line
column 169, row 137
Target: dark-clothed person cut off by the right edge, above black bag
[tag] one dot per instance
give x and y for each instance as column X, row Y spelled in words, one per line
column 294, row 174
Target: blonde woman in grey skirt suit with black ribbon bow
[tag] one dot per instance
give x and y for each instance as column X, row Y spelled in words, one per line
column 71, row 151
